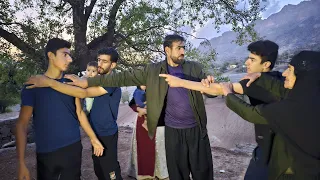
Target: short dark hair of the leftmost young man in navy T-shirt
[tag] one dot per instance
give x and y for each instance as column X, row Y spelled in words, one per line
column 55, row 44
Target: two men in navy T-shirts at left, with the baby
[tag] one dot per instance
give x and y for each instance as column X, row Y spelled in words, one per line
column 57, row 112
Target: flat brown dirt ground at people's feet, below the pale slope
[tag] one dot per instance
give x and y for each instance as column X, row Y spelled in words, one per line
column 234, row 163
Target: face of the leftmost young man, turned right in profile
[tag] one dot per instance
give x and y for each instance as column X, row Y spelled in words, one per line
column 61, row 59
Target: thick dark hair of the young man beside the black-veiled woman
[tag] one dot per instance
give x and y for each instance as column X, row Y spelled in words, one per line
column 267, row 50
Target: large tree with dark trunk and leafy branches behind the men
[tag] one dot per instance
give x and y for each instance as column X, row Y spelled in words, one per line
column 135, row 28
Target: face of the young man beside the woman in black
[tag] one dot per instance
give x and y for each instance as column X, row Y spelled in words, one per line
column 254, row 65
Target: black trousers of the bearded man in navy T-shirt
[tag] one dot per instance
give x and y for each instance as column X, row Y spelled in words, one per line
column 106, row 167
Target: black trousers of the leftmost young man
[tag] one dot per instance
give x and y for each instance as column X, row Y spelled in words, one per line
column 62, row 164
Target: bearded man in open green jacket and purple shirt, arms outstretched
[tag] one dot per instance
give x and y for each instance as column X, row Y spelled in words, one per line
column 182, row 111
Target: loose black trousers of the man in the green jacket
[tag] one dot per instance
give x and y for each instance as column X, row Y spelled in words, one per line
column 186, row 153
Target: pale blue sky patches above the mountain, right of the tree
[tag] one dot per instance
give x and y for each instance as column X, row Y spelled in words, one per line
column 208, row 31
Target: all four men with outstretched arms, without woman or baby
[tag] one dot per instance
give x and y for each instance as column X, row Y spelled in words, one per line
column 56, row 113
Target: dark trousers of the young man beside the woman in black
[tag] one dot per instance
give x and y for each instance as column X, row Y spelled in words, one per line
column 256, row 169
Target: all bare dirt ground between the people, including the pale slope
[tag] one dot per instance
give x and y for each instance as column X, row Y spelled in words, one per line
column 231, row 140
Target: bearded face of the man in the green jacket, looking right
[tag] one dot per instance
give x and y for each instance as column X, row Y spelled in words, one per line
column 176, row 52
